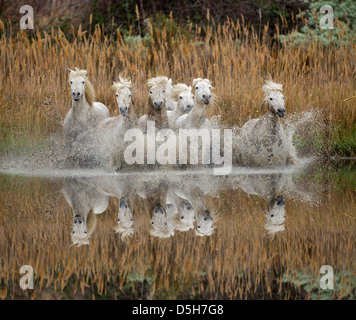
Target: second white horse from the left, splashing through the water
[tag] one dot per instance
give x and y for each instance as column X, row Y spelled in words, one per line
column 111, row 131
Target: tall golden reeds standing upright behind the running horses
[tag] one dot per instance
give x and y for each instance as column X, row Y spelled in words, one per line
column 34, row 93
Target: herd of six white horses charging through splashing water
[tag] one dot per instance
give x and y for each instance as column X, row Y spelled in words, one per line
column 259, row 142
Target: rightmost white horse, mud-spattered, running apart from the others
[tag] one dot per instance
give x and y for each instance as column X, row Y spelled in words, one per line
column 263, row 141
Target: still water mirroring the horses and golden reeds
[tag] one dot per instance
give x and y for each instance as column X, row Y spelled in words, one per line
column 253, row 234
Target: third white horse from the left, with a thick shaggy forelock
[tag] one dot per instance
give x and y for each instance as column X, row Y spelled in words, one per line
column 157, row 99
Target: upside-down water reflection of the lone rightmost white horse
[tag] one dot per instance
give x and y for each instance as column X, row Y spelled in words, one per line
column 268, row 187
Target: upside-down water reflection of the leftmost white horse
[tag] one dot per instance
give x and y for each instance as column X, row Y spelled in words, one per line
column 85, row 202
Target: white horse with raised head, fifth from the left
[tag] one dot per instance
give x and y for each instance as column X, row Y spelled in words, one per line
column 202, row 98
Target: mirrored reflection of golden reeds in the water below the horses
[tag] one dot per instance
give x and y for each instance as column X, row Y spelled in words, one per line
column 233, row 263
